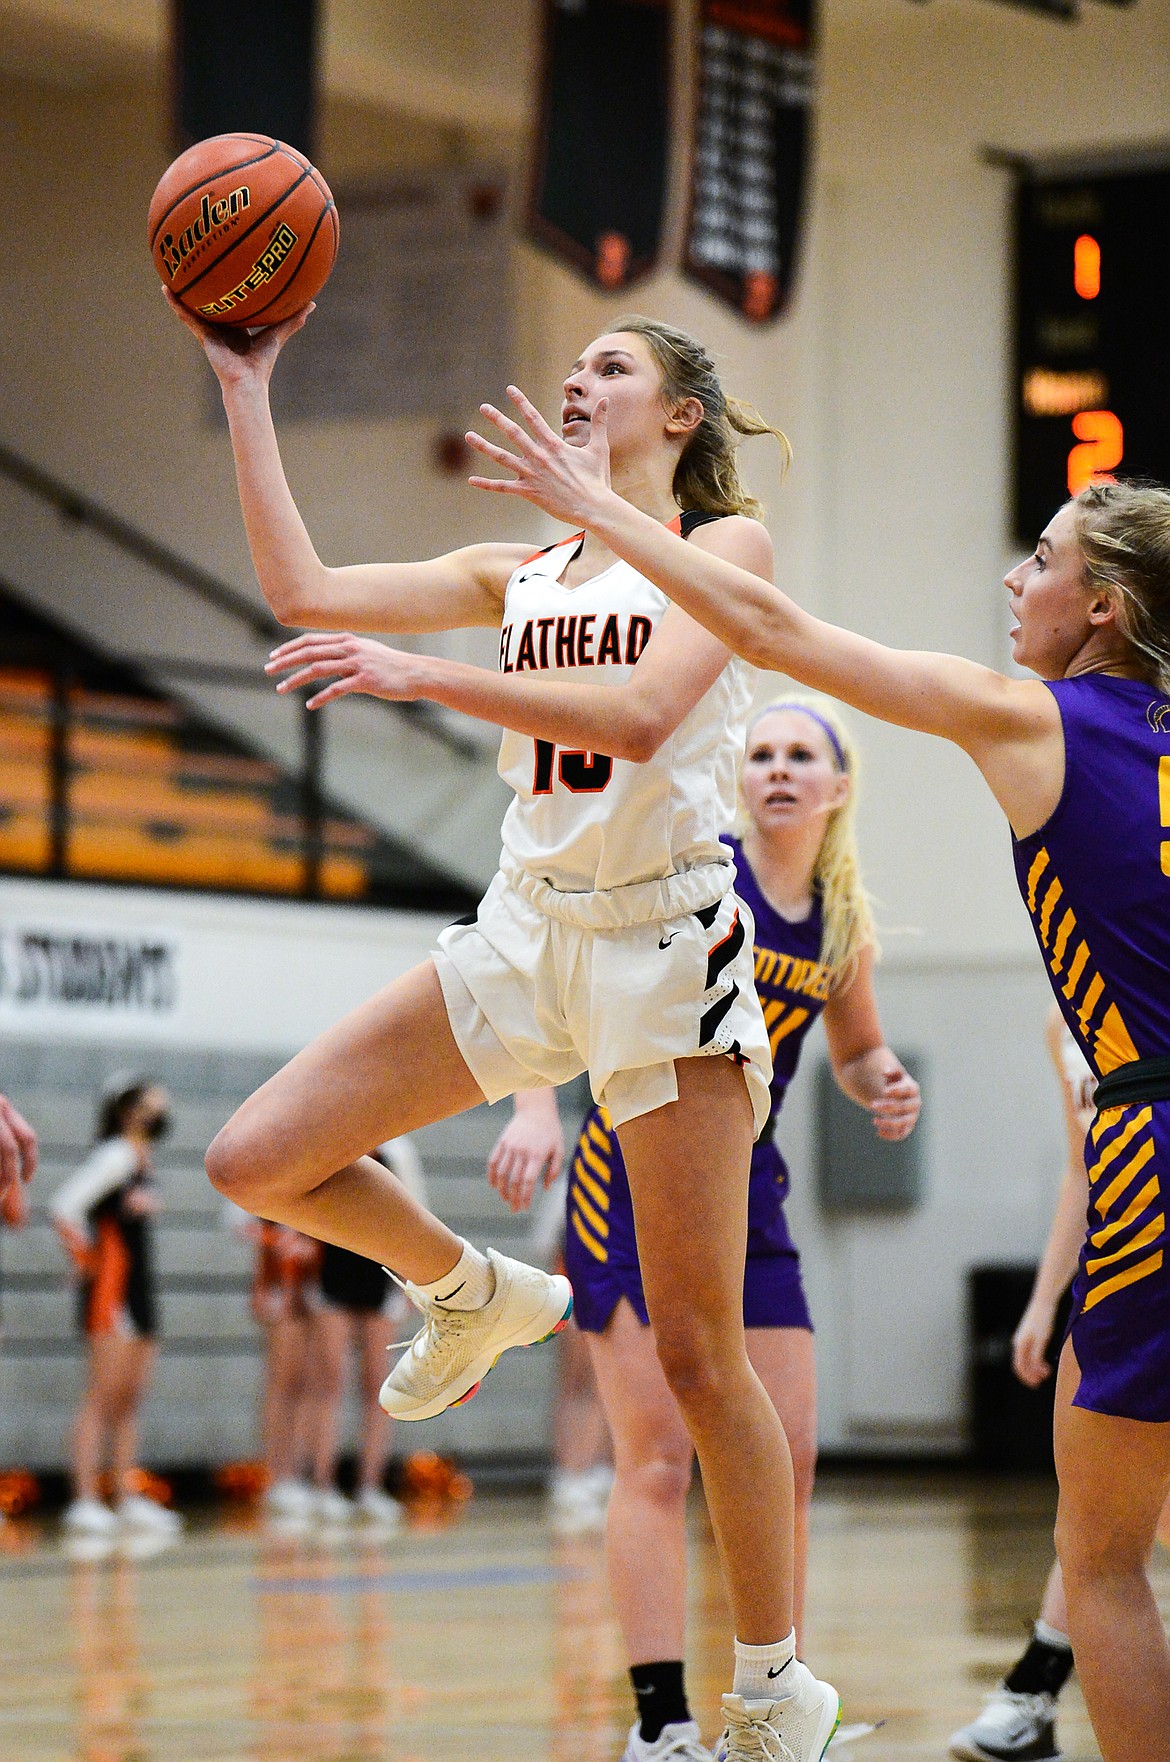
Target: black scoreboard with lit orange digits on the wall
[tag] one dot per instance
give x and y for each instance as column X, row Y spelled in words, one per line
column 1092, row 336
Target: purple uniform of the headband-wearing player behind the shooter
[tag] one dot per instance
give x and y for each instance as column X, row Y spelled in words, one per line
column 602, row 1252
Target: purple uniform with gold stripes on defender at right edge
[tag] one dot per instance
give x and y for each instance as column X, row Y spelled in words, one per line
column 1097, row 885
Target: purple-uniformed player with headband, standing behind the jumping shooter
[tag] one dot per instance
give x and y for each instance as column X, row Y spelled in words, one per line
column 797, row 877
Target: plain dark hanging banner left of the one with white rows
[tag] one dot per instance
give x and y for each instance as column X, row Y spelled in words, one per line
column 600, row 161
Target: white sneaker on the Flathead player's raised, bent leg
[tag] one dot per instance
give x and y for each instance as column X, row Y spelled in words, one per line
column 448, row 1359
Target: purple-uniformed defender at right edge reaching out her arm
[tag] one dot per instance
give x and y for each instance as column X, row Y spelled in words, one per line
column 1079, row 762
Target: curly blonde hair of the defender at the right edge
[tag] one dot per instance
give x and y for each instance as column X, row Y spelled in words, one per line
column 1123, row 531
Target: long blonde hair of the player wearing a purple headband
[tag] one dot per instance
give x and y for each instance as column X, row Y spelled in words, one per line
column 847, row 914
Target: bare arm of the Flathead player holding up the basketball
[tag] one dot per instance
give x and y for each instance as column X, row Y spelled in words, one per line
column 461, row 589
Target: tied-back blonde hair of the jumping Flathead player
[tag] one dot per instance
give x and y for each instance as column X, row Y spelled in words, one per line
column 707, row 477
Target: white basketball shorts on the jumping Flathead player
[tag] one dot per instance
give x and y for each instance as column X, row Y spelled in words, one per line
column 545, row 986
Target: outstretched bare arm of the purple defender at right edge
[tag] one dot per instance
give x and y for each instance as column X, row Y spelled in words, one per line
column 1002, row 723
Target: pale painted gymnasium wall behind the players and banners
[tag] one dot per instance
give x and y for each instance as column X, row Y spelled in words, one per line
column 892, row 380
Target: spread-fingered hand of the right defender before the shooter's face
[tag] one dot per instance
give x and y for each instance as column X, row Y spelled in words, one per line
column 561, row 477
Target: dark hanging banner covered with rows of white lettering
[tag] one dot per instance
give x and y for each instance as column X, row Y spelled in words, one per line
column 752, row 151
